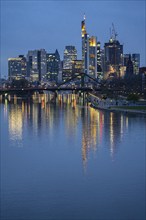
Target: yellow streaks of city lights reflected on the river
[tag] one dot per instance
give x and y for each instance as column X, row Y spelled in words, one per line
column 48, row 113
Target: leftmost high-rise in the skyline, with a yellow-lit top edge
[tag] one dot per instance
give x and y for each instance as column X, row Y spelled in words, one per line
column 17, row 67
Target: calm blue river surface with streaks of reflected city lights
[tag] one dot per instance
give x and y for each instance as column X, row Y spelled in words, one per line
column 67, row 161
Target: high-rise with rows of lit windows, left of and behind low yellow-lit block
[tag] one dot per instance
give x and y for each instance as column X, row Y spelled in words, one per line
column 70, row 54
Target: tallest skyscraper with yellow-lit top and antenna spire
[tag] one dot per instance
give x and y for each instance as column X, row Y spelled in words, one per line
column 85, row 47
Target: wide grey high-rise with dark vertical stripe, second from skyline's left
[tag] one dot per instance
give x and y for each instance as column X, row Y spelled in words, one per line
column 36, row 65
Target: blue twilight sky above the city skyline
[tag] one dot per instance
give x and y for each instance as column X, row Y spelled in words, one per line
column 28, row 25
